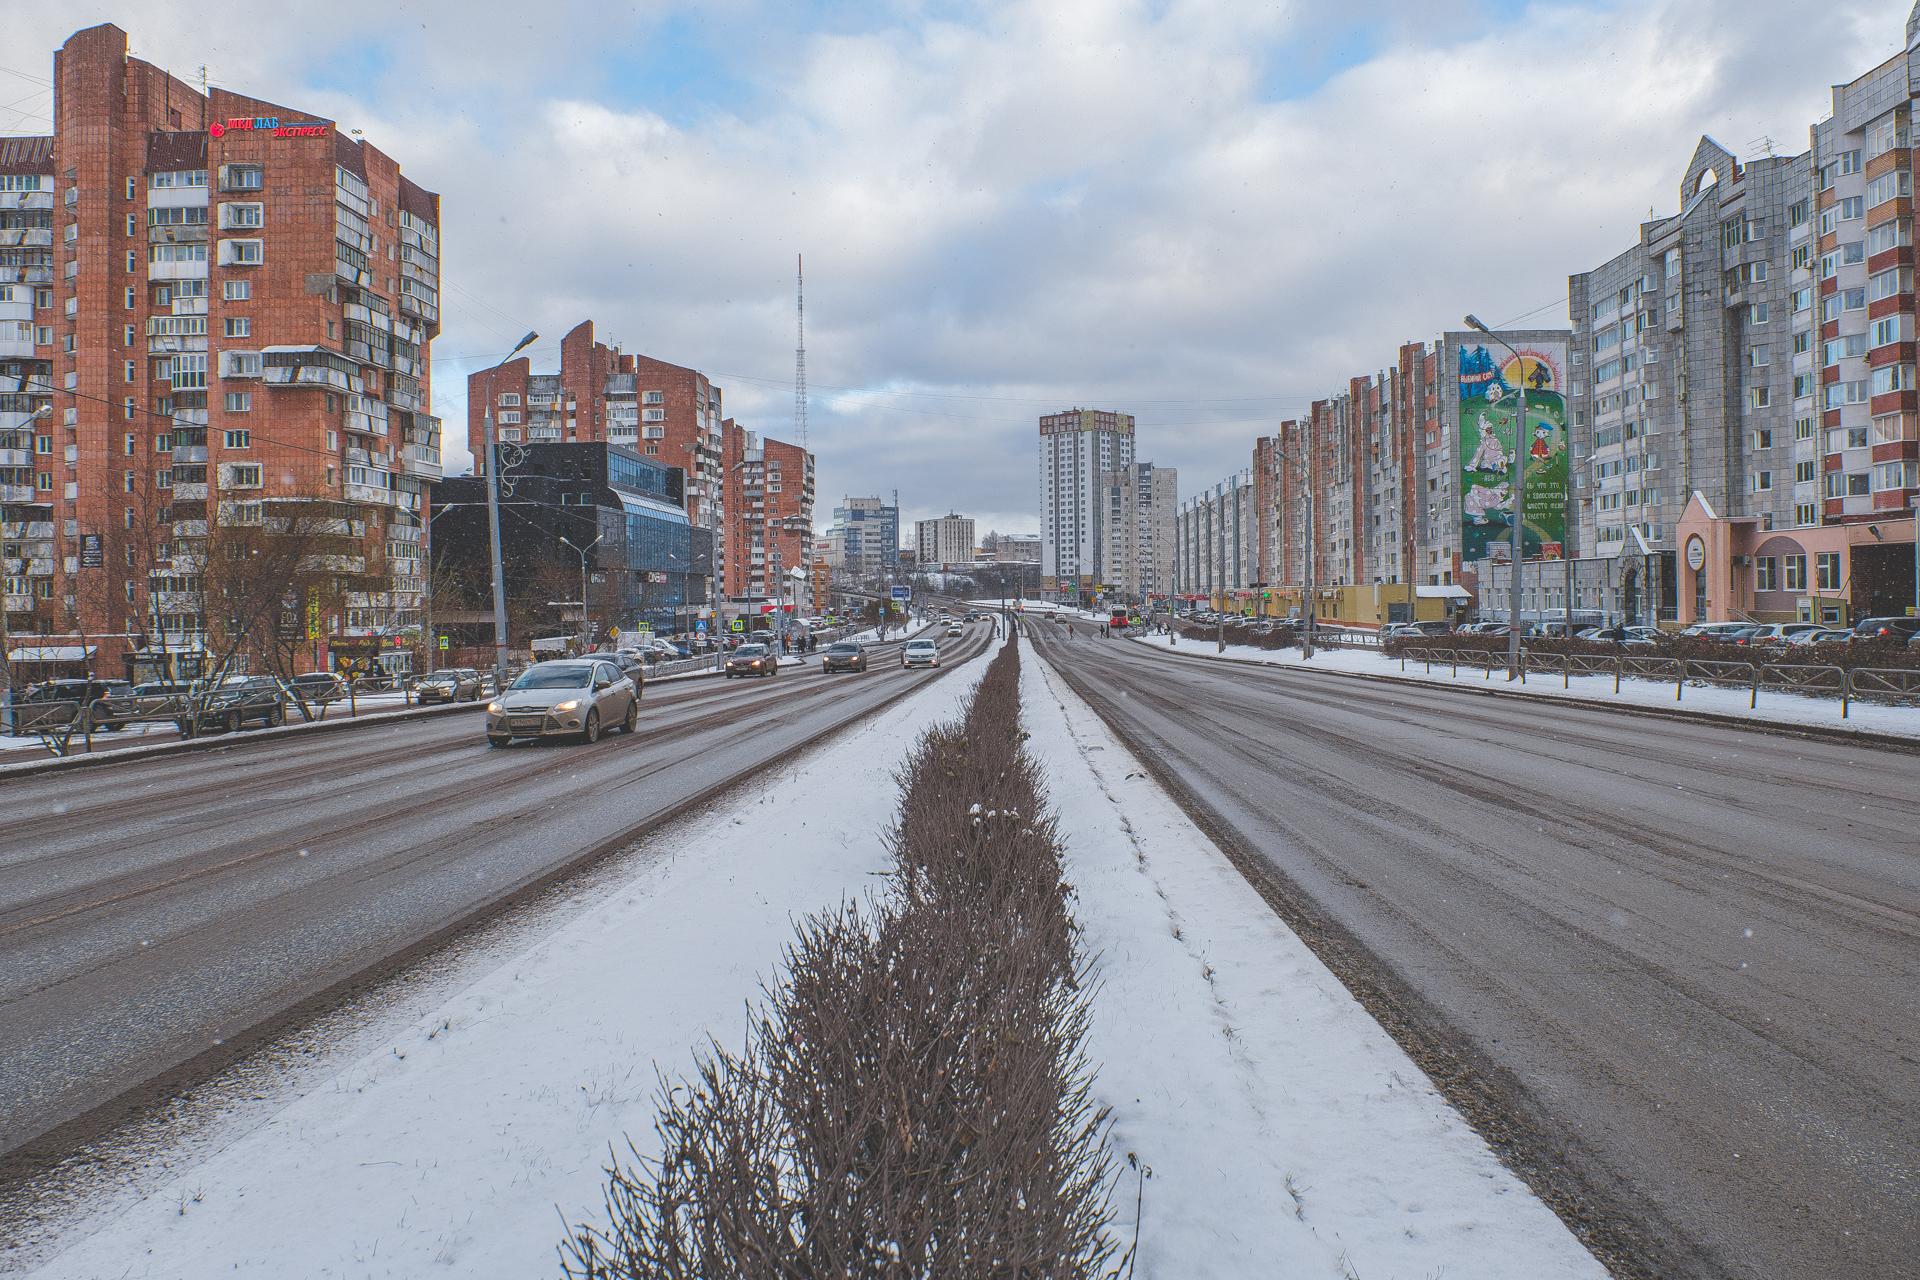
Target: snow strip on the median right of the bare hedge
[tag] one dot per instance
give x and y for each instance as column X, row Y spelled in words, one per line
column 1285, row 1131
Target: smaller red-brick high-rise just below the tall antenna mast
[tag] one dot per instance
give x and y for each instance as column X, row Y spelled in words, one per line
column 769, row 511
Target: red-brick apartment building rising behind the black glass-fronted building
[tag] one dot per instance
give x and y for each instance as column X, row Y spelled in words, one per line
column 604, row 396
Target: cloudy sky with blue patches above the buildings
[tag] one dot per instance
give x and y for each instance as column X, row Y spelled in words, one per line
column 1201, row 212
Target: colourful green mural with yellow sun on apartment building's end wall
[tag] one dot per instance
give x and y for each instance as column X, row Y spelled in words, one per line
column 1489, row 406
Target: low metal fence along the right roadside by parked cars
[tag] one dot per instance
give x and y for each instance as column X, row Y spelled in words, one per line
column 1863, row 684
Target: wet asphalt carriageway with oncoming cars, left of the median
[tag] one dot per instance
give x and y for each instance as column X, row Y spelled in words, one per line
column 155, row 911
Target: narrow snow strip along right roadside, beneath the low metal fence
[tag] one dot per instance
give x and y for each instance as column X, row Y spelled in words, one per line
column 1775, row 705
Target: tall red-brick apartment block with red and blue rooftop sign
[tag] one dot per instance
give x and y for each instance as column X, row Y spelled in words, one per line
column 216, row 312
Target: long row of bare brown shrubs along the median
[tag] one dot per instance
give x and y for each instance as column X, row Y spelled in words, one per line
column 913, row 1099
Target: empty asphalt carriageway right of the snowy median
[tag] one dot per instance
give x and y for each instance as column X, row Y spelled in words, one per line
column 1673, row 970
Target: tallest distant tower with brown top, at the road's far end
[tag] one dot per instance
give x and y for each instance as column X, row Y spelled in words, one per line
column 1078, row 448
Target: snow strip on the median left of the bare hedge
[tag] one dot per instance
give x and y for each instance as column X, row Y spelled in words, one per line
column 462, row 1147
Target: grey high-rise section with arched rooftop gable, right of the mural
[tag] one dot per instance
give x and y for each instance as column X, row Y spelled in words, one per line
column 1694, row 360
